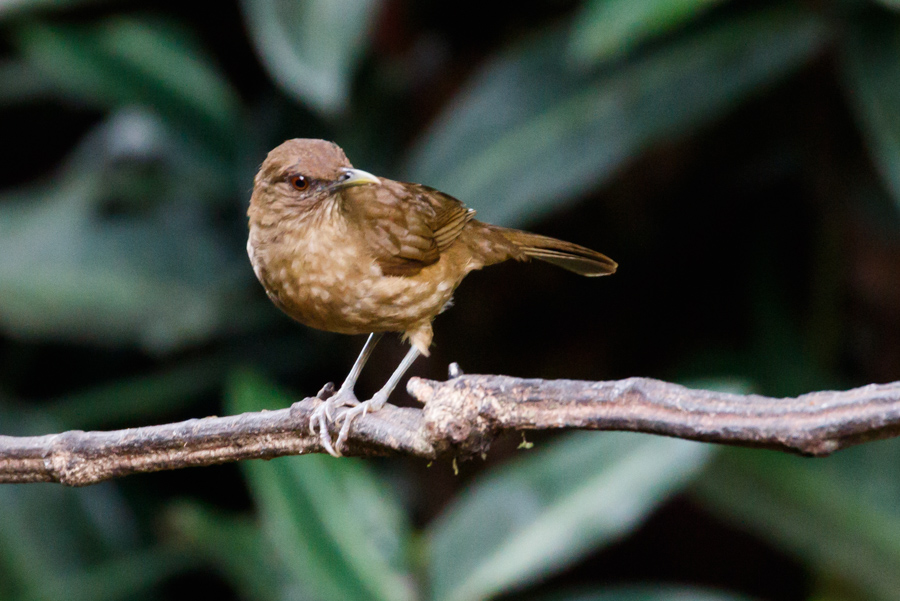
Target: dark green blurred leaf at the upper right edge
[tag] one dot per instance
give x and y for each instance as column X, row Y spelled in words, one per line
column 872, row 82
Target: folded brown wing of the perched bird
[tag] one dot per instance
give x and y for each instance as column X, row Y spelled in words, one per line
column 407, row 226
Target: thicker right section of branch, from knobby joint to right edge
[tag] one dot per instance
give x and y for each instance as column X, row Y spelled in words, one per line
column 462, row 411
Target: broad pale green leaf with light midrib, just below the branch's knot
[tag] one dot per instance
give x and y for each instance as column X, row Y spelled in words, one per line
column 546, row 510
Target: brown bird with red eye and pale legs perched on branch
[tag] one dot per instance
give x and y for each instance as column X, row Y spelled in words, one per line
column 342, row 250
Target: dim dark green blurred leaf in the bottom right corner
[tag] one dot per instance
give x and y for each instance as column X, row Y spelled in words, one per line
column 840, row 514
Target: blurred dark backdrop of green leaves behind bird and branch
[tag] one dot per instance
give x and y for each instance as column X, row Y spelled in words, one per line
column 739, row 159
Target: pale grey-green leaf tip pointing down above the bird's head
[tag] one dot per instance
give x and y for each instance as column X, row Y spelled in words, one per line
column 311, row 47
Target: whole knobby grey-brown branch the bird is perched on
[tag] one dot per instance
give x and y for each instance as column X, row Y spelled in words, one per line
column 462, row 416
